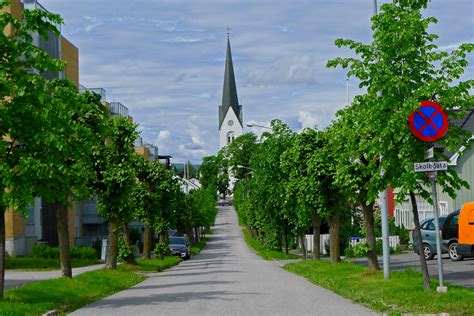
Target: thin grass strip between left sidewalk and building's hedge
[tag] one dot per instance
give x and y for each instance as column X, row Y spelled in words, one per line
column 45, row 264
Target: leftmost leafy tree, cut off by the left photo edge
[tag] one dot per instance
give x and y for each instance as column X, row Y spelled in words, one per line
column 24, row 103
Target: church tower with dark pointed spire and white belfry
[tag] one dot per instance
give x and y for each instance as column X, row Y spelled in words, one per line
column 230, row 112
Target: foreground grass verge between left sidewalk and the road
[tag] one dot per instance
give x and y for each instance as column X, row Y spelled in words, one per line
column 66, row 295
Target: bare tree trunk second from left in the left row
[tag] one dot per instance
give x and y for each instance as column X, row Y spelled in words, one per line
column 63, row 239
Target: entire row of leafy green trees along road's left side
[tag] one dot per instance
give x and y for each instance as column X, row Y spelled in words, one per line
column 64, row 146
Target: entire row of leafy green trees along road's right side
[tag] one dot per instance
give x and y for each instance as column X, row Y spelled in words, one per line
column 289, row 182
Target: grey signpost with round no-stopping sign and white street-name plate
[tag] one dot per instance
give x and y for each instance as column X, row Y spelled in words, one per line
column 430, row 123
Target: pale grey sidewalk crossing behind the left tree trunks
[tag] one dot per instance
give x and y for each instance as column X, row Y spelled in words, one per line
column 17, row 278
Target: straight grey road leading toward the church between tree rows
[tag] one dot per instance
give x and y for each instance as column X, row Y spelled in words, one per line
column 225, row 279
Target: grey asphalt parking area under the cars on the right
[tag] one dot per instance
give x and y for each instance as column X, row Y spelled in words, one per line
column 458, row 273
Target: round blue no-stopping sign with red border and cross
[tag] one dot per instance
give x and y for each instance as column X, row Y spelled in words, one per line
column 429, row 123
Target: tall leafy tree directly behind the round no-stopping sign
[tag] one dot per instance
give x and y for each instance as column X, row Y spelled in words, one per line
column 404, row 66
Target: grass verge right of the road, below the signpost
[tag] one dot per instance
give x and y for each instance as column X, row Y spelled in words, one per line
column 402, row 293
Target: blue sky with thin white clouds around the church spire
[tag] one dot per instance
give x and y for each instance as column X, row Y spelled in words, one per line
column 164, row 59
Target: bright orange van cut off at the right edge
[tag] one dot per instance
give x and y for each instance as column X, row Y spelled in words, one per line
column 466, row 230
